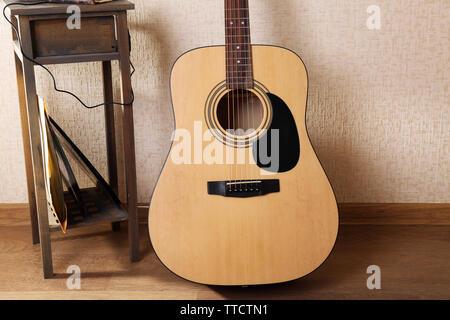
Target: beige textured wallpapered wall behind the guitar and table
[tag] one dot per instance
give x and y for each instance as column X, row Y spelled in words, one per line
column 378, row 109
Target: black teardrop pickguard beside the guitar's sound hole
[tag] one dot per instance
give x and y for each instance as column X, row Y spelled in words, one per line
column 289, row 142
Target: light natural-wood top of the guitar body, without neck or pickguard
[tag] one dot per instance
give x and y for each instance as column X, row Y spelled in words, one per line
column 219, row 240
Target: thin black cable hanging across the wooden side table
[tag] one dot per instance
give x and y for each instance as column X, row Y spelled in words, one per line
column 48, row 71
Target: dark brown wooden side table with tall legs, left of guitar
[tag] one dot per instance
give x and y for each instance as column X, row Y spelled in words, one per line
column 46, row 39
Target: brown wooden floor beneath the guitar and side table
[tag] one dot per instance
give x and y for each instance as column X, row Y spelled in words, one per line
column 414, row 261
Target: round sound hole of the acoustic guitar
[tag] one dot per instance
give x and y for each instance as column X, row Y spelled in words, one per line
column 240, row 112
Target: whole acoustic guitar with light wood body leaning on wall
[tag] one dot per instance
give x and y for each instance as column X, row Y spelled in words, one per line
column 242, row 198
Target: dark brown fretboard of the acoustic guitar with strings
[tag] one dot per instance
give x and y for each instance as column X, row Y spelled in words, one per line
column 238, row 45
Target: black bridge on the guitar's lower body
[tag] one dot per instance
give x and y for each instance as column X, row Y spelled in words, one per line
column 243, row 188
